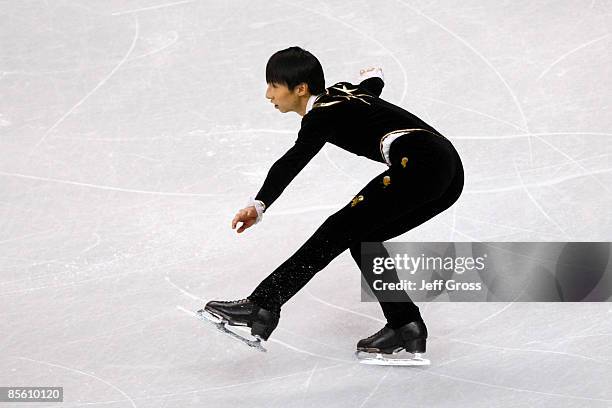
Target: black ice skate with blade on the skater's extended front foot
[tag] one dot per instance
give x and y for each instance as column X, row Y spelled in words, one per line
column 241, row 313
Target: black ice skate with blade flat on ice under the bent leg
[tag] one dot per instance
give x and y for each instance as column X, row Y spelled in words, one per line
column 385, row 347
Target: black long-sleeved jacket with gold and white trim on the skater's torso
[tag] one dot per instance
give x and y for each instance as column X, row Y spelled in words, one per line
column 349, row 116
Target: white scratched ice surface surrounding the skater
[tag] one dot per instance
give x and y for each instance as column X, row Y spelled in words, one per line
column 131, row 132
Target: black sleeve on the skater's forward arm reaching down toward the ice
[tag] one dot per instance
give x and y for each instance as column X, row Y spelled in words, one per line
column 284, row 170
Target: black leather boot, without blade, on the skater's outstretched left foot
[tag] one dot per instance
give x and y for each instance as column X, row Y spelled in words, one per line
column 244, row 313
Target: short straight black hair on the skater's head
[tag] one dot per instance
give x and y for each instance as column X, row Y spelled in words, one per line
column 294, row 65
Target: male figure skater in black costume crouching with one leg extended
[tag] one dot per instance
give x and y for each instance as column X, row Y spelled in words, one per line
column 424, row 178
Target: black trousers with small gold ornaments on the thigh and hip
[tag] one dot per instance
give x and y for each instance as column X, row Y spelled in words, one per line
column 424, row 179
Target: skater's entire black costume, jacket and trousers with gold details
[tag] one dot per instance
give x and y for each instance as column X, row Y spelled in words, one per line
column 425, row 177
